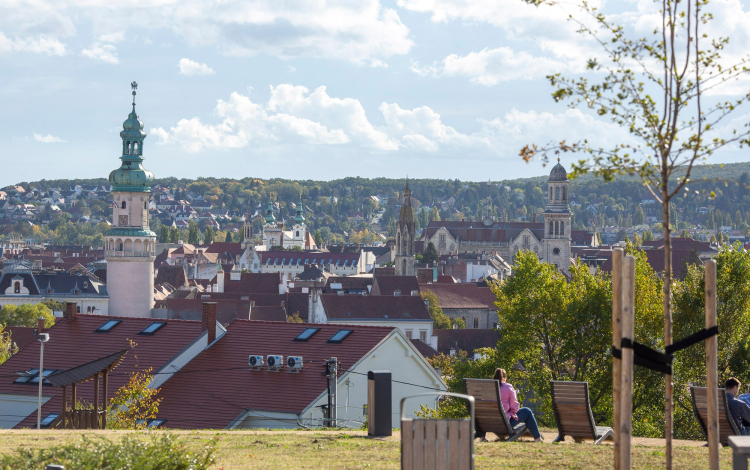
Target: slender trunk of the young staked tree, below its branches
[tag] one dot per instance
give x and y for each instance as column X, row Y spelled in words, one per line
column 667, row 299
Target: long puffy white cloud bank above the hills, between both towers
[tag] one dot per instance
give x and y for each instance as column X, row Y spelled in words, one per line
column 295, row 116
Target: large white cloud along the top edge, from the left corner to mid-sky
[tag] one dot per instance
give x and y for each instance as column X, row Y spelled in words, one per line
column 363, row 32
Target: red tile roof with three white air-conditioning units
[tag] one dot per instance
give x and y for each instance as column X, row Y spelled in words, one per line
column 224, row 388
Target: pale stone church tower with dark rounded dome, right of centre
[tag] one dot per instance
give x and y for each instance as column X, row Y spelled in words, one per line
column 557, row 217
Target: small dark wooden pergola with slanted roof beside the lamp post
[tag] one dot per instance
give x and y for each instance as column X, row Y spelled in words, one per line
column 94, row 370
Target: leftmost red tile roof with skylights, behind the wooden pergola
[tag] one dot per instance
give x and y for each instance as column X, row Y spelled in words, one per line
column 74, row 343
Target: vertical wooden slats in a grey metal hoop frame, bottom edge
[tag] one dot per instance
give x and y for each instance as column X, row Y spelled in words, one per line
column 444, row 444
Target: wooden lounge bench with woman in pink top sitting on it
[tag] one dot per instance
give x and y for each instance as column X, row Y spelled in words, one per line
column 490, row 414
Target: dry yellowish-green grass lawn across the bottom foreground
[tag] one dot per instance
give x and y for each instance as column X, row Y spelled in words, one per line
column 352, row 449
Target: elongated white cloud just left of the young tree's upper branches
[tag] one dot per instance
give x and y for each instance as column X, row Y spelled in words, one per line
column 492, row 66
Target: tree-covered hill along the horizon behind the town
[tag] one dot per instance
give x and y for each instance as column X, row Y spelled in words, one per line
column 595, row 203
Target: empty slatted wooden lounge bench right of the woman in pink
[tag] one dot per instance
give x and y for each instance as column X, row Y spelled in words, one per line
column 570, row 402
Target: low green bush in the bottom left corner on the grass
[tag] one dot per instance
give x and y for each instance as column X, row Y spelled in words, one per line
column 144, row 451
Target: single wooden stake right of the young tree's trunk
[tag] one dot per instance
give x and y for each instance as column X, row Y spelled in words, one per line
column 712, row 374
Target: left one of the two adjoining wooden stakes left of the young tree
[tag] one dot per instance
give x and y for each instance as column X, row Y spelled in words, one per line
column 616, row 339
